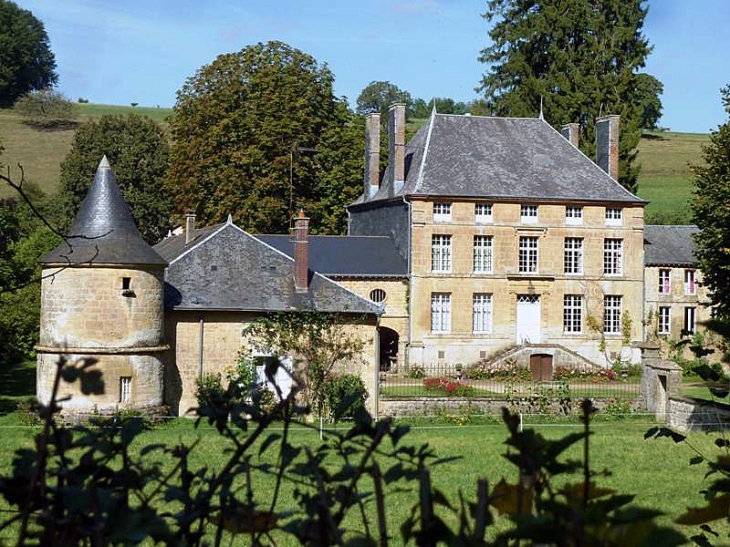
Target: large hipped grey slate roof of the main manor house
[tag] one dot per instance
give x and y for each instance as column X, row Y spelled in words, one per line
column 499, row 158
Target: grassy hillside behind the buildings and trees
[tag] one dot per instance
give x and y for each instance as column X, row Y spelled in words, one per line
column 665, row 178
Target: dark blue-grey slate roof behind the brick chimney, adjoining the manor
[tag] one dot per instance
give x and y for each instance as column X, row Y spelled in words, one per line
column 347, row 256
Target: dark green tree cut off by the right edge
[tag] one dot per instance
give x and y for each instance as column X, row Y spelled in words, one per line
column 711, row 213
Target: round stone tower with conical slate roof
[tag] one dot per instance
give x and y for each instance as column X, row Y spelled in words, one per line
column 102, row 299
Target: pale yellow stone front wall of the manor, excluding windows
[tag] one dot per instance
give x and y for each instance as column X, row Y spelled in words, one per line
column 505, row 283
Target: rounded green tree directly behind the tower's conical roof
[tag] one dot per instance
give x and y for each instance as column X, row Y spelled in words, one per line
column 138, row 152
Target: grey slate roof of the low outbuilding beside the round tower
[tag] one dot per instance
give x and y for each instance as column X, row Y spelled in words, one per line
column 230, row 269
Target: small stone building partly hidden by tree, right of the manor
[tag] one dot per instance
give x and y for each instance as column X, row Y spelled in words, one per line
column 675, row 299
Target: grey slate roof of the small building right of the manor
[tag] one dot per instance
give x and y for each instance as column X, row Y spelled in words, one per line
column 669, row 245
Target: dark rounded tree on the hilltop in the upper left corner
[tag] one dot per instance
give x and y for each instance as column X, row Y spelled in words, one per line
column 26, row 60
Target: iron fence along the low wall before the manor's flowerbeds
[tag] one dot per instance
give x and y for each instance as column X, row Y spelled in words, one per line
column 508, row 383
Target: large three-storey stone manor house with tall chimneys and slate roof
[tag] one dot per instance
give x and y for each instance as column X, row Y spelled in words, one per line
column 511, row 235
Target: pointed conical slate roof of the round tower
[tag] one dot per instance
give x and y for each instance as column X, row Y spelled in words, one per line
column 104, row 231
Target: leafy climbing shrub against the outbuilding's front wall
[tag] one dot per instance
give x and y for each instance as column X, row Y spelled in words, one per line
column 320, row 344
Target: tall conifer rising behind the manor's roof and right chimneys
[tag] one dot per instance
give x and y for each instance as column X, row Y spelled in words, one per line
column 579, row 57
